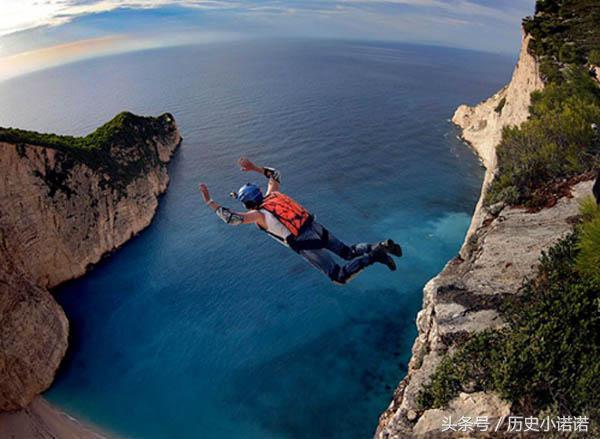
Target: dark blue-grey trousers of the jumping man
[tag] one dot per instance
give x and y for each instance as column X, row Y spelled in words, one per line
column 316, row 245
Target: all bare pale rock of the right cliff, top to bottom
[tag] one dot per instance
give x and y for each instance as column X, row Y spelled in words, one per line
column 502, row 247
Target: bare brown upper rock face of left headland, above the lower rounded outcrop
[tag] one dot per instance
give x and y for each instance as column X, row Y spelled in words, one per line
column 59, row 214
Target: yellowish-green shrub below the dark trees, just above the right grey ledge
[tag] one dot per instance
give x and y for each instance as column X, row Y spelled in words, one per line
column 557, row 142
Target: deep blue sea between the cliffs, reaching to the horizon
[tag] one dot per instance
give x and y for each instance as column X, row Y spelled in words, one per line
column 198, row 330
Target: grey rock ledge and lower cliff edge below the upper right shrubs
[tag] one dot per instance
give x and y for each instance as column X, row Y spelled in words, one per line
column 464, row 298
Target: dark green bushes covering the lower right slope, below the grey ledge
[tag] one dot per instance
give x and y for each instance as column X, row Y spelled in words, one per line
column 549, row 353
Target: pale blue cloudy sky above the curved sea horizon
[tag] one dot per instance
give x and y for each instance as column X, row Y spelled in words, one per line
column 36, row 34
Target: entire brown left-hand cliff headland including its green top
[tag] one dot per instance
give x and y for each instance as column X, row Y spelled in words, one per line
column 64, row 203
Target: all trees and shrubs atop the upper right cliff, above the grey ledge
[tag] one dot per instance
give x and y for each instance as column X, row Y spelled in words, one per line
column 558, row 141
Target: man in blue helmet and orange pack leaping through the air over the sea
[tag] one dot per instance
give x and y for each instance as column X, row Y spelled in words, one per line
column 291, row 224
